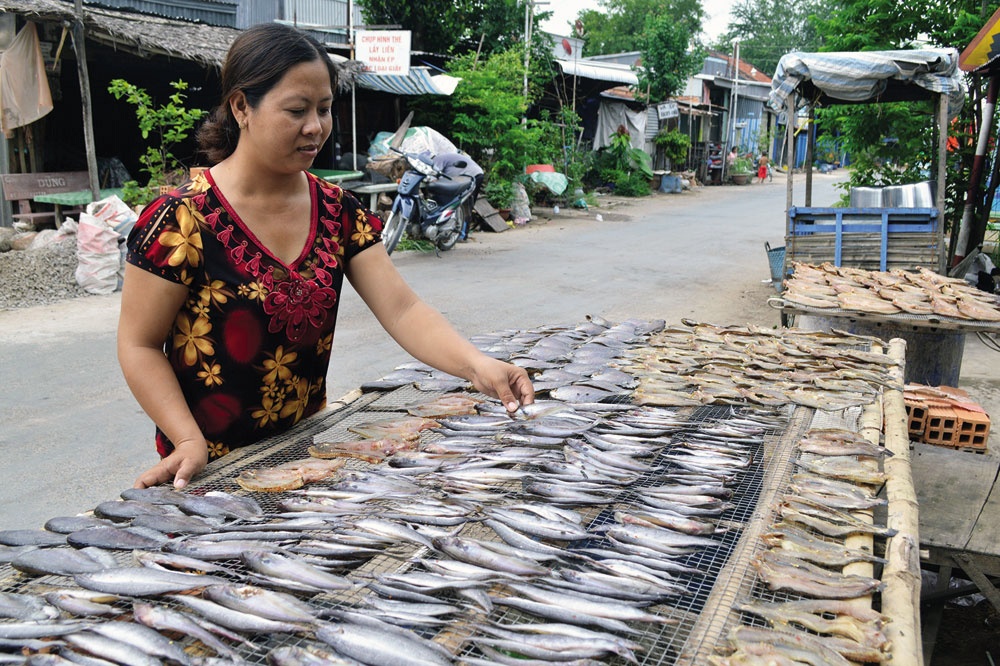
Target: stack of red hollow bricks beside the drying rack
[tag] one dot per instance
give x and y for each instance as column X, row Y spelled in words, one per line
column 946, row 416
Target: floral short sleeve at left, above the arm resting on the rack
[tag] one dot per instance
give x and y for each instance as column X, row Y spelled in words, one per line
column 166, row 240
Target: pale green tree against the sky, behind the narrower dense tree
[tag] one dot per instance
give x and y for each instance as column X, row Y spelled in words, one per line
column 613, row 29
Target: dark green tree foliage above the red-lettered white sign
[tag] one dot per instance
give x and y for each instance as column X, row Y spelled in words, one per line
column 453, row 26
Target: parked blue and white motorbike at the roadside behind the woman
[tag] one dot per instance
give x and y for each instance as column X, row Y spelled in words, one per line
column 439, row 213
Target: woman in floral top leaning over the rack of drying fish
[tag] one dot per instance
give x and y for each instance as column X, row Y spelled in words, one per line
column 233, row 281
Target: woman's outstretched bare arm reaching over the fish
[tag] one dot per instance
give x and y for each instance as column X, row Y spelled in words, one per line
column 426, row 335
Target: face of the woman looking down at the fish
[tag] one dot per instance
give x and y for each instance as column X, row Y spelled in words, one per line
column 293, row 120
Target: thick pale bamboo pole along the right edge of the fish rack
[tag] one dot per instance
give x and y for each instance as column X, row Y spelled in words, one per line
column 901, row 575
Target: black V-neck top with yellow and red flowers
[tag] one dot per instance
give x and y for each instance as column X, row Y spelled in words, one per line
column 251, row 344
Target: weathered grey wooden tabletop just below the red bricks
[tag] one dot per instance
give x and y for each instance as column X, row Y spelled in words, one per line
column 952, row 487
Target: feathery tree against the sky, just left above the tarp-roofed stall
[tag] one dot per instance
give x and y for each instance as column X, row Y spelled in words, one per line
column 768, row 29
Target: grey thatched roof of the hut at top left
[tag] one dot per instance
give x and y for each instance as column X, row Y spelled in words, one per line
column 141, row 34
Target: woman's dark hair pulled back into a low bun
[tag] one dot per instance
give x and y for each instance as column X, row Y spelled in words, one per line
column 256, row 61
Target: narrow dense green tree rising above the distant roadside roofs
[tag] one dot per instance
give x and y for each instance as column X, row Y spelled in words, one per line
column 667, row 58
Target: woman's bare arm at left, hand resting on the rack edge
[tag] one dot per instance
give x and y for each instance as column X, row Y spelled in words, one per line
column 149, row 306
